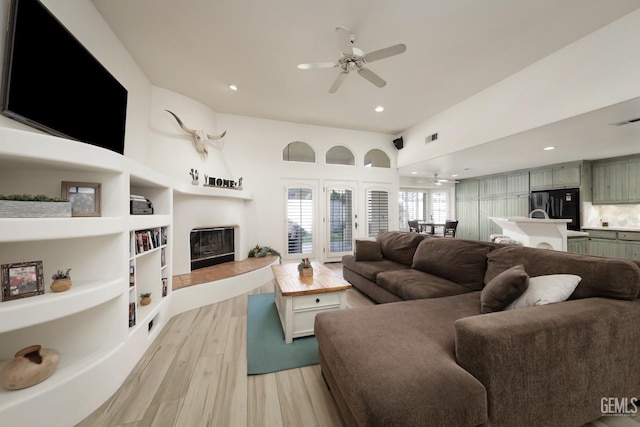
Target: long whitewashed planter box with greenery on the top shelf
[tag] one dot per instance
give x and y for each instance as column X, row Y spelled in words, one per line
column 30, row 206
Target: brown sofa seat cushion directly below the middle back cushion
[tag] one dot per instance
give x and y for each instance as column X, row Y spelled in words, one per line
column 412, row 284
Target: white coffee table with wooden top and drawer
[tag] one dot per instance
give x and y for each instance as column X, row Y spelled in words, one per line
column 300, row 298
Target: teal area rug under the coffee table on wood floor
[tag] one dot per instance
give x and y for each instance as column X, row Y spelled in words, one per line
column 266, row 349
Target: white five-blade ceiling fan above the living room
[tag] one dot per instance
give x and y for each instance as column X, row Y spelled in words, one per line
column 354, row 59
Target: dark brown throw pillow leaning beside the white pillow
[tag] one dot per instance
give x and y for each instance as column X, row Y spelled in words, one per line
column 504, row 289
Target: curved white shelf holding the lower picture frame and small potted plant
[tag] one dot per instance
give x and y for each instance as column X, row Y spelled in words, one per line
column 24, row 312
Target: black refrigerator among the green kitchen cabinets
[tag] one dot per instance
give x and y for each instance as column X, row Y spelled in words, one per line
column 558, row 204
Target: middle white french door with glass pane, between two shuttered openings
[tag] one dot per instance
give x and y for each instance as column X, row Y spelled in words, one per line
column 340, row 221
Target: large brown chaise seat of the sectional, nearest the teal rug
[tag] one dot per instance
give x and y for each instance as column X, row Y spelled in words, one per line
column 394, row 364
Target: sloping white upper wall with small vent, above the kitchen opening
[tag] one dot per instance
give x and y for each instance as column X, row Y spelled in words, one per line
column 597, row 71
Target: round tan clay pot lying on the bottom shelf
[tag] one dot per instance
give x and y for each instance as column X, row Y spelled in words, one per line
column 30, row 366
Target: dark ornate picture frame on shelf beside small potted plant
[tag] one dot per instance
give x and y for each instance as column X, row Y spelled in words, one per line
column 22, row 280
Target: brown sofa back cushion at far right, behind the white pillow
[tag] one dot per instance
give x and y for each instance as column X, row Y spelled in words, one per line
column 601, row 277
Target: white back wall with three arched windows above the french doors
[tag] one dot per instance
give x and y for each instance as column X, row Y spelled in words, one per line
column 254, row 151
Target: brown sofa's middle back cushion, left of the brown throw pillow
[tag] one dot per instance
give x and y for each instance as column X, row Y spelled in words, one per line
column 461, row 261
